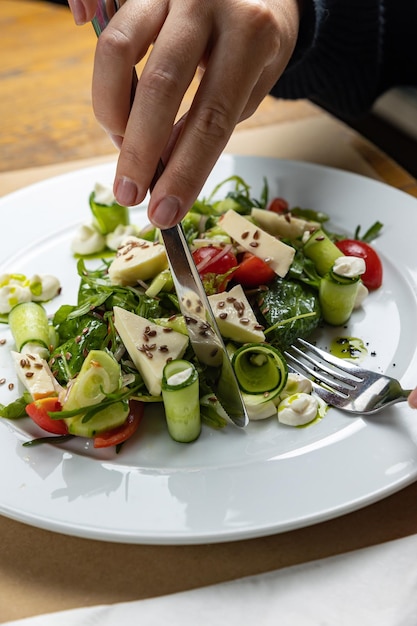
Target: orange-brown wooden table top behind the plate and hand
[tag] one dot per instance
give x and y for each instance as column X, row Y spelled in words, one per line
column 45, row 105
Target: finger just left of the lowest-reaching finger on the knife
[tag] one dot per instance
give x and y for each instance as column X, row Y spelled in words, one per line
column 160, row 90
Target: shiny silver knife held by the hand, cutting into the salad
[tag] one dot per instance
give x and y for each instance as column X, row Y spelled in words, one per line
column 202, row 328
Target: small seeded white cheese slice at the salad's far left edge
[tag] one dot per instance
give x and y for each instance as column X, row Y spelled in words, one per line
column 35, row 375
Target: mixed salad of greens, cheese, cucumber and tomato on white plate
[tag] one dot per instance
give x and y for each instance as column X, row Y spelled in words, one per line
column 272, row 273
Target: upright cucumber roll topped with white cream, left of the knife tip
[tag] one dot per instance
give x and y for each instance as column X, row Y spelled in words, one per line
column 180, row 393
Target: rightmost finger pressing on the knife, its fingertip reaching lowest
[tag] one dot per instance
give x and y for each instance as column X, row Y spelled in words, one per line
column 238, row 67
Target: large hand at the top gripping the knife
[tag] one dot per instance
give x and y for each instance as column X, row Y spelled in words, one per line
column 242, row 46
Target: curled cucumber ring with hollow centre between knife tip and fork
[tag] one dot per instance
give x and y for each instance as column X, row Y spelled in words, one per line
column 260, row 369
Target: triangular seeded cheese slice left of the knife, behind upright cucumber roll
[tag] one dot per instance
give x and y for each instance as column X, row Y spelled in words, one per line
column 149, row 346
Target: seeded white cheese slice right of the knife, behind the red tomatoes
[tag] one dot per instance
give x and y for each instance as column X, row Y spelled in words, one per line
column 277, row 254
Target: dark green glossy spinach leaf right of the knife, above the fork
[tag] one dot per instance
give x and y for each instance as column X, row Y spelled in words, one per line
column 290, row 309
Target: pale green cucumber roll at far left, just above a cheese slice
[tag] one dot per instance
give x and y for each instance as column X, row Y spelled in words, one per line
column 29, row 324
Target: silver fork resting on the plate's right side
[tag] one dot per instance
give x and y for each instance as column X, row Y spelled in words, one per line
column 342, row 384
